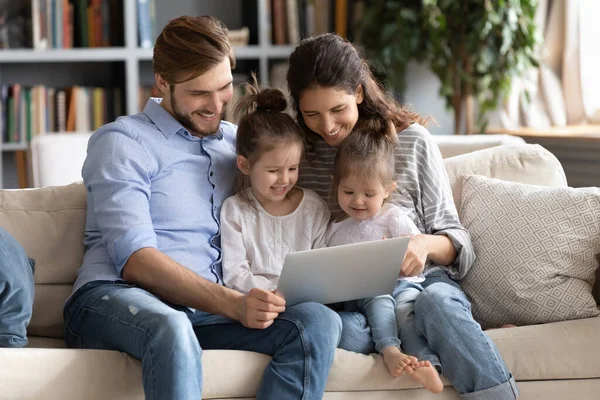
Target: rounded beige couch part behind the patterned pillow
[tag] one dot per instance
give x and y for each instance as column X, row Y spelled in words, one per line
column 522, row 163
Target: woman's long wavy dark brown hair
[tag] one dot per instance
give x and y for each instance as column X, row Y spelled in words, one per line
column 329, row 61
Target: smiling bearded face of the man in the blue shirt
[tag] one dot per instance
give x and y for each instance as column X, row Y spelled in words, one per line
column 198, row 104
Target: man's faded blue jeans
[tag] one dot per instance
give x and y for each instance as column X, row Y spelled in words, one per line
column 169, row 340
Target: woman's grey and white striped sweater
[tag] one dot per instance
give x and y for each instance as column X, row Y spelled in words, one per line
column 423, row 187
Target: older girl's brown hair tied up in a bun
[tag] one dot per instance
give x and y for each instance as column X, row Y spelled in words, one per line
column 263, row 125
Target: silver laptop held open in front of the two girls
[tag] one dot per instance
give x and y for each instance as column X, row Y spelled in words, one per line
column 342, row 273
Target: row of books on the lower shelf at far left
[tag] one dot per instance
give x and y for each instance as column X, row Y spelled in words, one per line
column 29, row 111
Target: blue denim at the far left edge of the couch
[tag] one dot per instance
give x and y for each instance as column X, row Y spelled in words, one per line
column 17, row 290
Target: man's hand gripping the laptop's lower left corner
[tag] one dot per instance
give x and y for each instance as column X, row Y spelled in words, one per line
column 259, row 308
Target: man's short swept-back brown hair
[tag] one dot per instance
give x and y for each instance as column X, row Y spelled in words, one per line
column 189, row 46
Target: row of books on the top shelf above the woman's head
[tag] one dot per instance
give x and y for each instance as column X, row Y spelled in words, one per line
column 293, row 20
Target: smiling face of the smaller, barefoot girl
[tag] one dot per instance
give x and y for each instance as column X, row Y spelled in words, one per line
column 360, row 198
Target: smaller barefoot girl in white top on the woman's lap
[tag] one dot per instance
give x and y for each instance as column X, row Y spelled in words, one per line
column 363, row 181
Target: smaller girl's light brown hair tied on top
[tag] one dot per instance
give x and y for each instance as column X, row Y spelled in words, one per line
column 368, row 154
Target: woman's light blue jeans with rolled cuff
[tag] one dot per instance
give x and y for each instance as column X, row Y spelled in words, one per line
column 442, row 316
